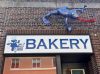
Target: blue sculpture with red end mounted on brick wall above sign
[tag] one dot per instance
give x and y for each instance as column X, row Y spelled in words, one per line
column 68, row 13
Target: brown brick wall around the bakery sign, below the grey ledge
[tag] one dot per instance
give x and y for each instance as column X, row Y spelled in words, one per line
column 27, row 21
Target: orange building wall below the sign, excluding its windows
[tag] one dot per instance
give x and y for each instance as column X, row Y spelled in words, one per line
column 25, row 66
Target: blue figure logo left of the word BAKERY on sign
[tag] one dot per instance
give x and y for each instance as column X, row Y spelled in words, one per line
column 16, row 45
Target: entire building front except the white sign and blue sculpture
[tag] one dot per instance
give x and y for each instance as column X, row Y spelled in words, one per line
column 25, row 18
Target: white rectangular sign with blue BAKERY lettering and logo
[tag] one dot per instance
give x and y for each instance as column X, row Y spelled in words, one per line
column 47, row 44
